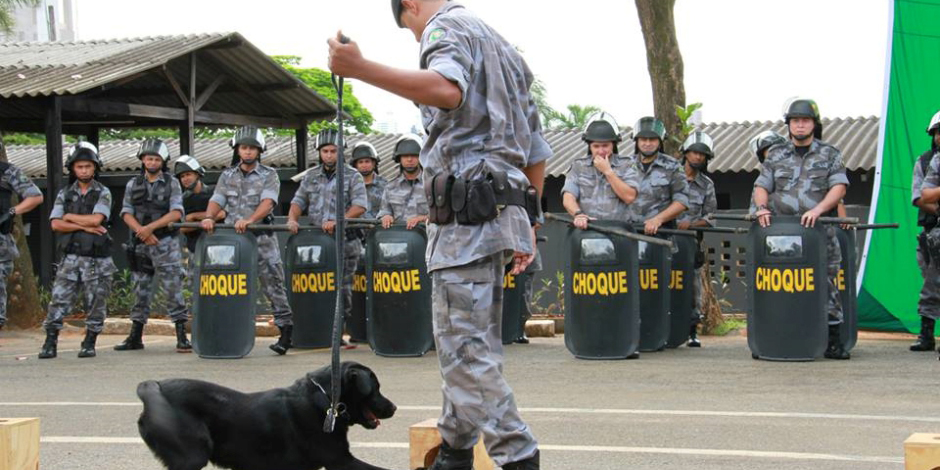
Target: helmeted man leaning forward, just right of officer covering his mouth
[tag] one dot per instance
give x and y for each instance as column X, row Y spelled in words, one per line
column 663, row 193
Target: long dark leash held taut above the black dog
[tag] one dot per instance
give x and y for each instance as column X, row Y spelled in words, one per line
column 340, row 233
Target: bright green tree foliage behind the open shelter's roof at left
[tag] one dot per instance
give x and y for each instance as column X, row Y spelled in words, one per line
column 319, row 81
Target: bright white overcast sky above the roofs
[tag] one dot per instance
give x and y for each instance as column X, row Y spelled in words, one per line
column 743, row 58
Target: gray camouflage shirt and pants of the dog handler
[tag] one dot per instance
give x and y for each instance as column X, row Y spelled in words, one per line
column 466, row 261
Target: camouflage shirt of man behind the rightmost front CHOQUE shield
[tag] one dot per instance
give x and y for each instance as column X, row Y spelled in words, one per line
column 797, row 184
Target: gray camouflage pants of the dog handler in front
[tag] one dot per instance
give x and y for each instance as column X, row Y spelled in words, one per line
column 467, row 306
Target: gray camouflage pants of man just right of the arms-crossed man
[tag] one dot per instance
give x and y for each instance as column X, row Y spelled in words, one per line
column 167, row 262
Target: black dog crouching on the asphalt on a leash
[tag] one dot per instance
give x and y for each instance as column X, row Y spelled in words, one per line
column 188, row 423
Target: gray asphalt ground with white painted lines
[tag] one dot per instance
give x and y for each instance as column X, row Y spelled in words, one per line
column 710, row 408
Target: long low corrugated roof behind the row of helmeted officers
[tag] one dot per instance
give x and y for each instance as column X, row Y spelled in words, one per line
column 857, row 138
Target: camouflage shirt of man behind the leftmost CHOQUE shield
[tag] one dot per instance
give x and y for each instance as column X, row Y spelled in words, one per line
column 241, row 193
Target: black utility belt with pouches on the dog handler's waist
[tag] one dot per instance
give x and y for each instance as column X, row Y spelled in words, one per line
column 474, row 202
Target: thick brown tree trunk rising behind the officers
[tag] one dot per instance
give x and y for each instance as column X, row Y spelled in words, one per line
column 664, row 62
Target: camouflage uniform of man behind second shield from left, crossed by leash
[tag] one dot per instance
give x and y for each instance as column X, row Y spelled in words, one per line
column 317, row 195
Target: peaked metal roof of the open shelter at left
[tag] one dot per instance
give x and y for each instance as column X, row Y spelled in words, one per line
column 132, row 71
